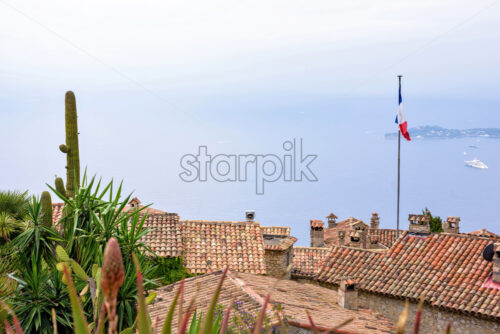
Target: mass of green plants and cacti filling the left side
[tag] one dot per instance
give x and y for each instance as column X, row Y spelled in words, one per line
column 36, row 253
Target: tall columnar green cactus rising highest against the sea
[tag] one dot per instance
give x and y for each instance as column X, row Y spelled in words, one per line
column 71, row 147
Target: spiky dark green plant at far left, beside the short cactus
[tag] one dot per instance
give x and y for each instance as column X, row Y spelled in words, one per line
column 39, row 286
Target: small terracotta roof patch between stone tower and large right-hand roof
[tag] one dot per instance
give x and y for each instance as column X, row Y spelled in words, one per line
column 307, row 261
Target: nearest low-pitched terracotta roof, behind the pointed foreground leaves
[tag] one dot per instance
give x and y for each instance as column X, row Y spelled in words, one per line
column 249, row 291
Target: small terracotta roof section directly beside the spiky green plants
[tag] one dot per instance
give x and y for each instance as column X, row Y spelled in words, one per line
column 164, row 236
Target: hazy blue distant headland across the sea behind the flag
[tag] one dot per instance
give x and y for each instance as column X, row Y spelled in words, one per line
column 433, row 131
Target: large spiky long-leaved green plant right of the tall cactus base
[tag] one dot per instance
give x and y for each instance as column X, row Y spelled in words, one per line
column 93, row 216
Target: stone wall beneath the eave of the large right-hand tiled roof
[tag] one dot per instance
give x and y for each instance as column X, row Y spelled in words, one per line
column 433, row 320
